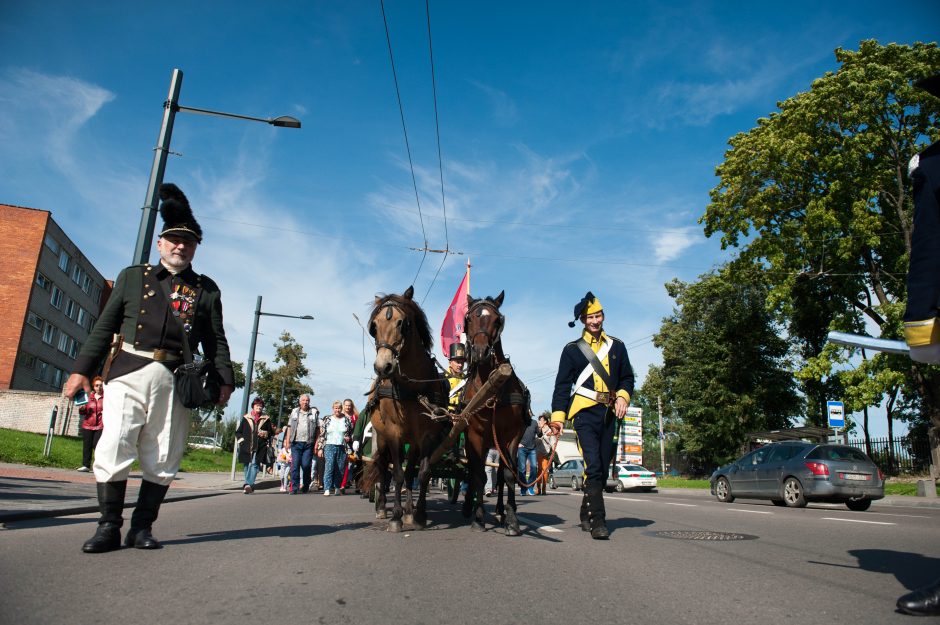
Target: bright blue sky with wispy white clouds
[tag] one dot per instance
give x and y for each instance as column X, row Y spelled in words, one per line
column 579, row 142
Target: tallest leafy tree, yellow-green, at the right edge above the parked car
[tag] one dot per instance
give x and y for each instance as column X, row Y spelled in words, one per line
column 818, row 196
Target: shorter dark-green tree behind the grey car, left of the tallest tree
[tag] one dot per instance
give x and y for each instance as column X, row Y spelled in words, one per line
column 725, row 370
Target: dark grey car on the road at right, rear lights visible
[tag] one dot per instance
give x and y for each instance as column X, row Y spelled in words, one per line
column 793, row 473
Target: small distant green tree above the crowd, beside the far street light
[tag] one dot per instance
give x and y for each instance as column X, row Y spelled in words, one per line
column 269, row 382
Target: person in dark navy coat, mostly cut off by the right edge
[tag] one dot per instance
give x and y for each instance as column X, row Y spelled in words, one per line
column 921, row 323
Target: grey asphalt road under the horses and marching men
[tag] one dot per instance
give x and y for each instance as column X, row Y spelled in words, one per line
column 270, row 558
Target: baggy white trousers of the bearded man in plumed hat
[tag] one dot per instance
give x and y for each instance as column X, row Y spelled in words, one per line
column 142, row 420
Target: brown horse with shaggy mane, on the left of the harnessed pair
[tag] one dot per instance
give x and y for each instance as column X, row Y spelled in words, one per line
column 405, row 370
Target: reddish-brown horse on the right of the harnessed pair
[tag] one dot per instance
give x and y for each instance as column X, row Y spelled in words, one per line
column 500, row 426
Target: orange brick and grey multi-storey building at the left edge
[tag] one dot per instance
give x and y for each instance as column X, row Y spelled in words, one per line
column 52, row 295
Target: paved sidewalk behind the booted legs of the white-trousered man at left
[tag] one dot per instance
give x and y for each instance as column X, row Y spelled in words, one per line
column 35, row 492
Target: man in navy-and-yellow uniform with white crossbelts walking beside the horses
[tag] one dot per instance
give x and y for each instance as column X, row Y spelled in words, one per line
column 593, row 403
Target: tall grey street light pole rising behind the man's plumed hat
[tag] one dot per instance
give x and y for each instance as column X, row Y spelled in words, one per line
column 148, row 218
